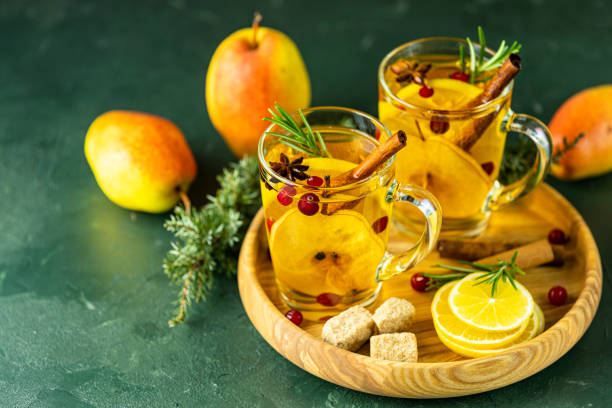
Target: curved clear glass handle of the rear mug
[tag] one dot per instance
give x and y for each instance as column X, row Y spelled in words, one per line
column 537, row 131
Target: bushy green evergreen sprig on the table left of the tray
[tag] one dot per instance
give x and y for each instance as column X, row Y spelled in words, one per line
column 208, row 238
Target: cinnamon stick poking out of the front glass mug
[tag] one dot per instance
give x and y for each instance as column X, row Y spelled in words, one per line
column 365, row 169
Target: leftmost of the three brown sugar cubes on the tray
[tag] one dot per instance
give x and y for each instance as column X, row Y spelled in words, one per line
column 350, row 329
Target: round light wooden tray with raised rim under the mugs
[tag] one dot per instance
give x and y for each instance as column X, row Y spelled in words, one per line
column 439, row 372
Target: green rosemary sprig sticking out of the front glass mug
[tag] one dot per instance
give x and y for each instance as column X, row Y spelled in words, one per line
column 300, row 138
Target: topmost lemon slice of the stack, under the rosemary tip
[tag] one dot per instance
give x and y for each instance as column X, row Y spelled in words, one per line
column 473, row 304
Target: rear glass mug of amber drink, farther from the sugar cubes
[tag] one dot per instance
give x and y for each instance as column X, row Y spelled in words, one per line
column 464, row 181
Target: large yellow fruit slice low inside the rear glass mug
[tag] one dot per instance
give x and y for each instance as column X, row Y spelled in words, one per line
column 448, row 172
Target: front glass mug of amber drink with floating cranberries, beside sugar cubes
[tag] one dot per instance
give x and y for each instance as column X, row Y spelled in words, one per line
column 328, row 244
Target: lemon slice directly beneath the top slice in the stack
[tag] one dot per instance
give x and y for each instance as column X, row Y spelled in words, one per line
column 457, row 331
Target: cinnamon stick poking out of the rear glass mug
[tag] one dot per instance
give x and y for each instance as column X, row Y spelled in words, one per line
column 494, row 87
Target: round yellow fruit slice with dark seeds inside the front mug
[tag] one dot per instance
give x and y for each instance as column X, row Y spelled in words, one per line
column 316, row 254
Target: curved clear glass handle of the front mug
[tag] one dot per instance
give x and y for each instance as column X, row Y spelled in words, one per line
column 429, row 206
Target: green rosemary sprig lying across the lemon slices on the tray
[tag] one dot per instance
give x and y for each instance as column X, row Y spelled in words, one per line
column 493, row 273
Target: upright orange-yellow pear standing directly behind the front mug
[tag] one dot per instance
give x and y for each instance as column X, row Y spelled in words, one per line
column 251, row 70
